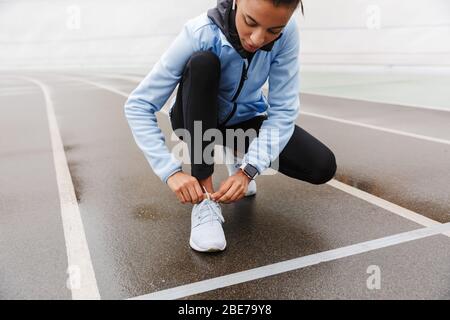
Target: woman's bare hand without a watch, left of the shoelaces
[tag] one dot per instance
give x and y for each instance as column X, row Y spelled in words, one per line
column 186, row 187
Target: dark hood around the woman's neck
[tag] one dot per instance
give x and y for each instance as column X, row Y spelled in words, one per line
column 224, row 17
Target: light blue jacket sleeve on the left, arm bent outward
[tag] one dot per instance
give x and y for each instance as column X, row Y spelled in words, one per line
column 150, row 96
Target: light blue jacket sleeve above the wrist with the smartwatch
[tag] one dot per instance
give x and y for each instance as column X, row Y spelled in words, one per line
column 284, row 103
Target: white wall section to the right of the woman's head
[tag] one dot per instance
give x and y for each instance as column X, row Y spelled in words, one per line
column 376, row 34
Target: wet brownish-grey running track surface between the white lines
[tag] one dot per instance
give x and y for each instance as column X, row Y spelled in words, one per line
column 138, row 233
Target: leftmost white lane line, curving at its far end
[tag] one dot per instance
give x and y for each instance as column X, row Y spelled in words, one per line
column 80, row 269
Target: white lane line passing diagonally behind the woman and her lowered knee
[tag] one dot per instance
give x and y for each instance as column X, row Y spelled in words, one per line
column 391, row 207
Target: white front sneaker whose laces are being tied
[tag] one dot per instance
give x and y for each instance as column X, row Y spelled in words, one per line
column 206, row 227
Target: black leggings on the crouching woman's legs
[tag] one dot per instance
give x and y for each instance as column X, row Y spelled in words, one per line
column 304, row 157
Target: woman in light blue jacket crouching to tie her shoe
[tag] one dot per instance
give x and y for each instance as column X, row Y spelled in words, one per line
column 221, row 59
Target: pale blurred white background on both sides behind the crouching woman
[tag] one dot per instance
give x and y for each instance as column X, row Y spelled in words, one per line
column 395, row 51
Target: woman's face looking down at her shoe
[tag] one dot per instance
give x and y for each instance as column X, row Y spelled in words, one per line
column 259, row 22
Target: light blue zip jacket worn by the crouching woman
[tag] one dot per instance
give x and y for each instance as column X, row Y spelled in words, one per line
column 280, row 66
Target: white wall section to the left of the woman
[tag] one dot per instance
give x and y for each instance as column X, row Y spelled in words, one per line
column 90, row 33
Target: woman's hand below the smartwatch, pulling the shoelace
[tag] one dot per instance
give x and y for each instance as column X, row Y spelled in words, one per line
column 232, row 189
